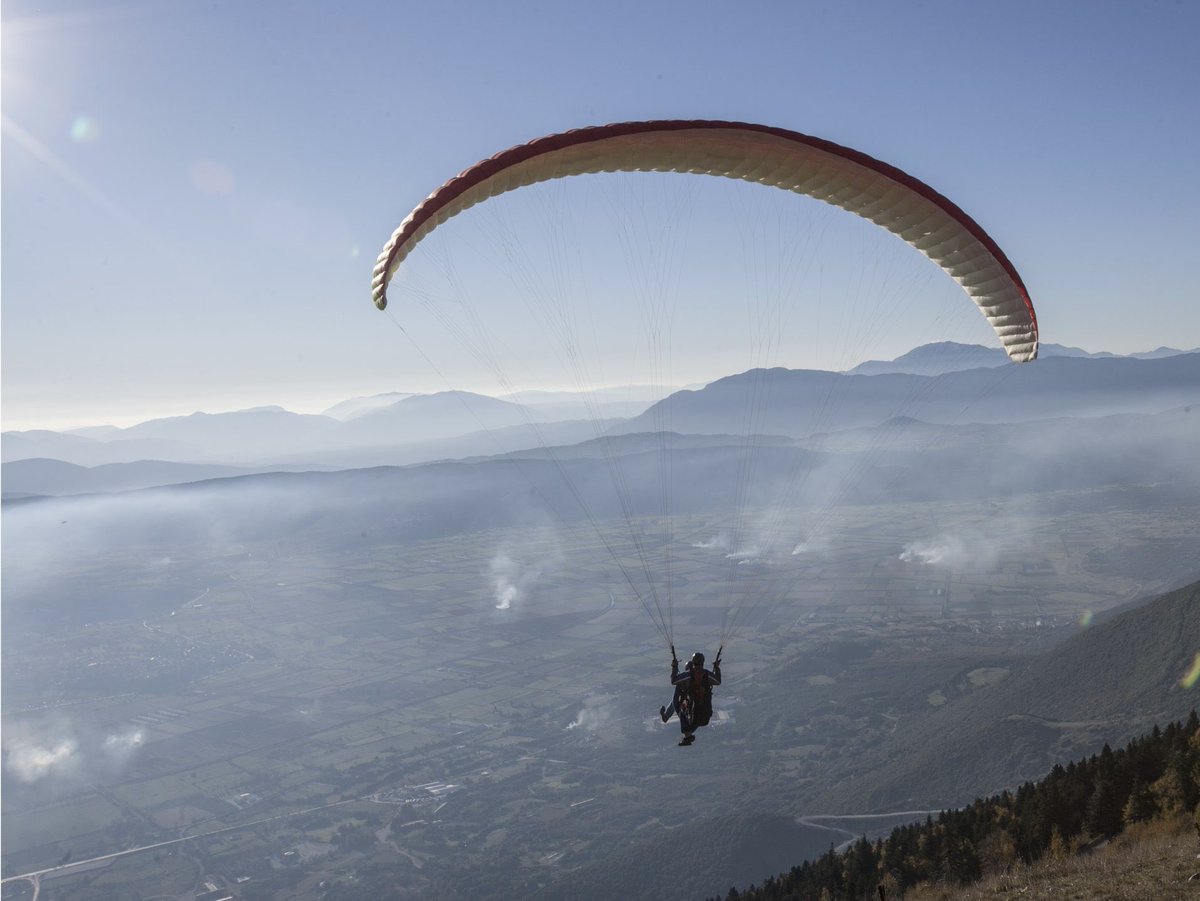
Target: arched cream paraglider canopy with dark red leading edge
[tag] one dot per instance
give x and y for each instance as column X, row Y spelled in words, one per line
column 819, row 169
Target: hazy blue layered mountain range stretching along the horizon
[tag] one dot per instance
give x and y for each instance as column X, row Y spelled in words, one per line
column 799, row 404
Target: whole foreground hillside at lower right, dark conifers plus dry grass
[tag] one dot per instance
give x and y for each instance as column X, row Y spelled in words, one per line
column 1144, row 795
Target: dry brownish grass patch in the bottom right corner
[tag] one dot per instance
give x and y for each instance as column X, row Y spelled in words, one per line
column 1144, row 864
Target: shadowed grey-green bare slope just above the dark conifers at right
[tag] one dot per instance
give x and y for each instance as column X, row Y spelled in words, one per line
column 1107, row 684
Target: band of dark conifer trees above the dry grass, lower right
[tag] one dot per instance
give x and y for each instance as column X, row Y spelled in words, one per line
column 1156, row 777
